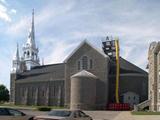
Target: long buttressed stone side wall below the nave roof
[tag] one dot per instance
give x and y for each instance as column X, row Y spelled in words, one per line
column 49, row 93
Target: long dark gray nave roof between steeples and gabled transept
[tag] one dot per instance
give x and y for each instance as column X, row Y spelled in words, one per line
column 41, row 73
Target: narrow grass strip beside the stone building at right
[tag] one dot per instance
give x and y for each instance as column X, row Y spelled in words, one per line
column 144, row 113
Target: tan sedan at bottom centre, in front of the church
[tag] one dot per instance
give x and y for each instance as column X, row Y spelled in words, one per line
column 64, row 115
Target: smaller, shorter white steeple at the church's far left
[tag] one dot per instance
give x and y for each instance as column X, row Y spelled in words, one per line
column 16, row 61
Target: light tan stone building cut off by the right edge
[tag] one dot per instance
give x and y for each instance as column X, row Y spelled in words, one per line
column 154, row 75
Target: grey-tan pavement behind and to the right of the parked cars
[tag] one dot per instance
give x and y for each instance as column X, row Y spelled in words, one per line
column 107, row 115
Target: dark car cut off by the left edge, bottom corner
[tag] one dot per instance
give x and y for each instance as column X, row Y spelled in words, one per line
column 12, row 114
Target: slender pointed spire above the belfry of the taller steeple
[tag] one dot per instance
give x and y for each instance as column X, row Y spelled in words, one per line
column 31, row 36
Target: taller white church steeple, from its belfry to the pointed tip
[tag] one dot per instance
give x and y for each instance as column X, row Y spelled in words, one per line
column 30, row 51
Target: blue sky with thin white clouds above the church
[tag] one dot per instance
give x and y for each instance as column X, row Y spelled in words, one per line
column 61, row 25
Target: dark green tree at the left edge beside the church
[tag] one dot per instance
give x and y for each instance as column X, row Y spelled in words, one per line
column 4, row 94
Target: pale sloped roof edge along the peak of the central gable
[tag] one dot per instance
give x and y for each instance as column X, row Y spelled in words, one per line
column 80, row 45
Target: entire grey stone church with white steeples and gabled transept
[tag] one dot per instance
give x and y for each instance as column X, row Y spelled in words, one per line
column 85, row 80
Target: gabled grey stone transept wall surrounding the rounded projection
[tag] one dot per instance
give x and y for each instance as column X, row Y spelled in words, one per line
column 100, row 69
